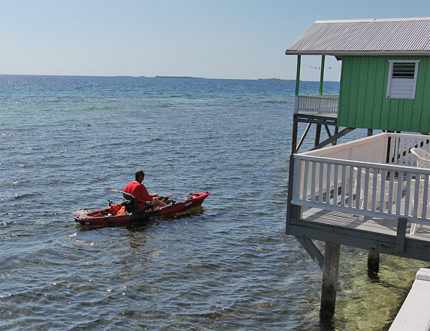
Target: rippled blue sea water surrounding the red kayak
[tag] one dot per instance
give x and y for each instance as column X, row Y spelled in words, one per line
column 65, row 140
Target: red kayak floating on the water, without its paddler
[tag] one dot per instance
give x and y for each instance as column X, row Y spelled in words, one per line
column 116, row 215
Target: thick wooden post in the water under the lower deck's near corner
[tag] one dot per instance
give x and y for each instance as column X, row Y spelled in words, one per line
column 329, row 283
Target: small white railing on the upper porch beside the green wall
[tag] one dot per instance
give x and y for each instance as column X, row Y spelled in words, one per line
column 316, row 103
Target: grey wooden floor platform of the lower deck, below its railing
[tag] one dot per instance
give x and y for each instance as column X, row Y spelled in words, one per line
column 385, row 235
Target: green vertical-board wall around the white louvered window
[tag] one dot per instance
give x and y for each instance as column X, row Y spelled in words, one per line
column 363, row 102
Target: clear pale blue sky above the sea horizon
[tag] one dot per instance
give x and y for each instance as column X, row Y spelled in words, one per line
column 199, row 38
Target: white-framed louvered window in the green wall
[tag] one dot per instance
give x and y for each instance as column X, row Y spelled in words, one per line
column 402, row 79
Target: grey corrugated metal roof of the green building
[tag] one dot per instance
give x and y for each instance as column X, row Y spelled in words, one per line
column 395, row 36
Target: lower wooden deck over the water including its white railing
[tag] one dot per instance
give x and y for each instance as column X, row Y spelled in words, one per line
column 365, row 193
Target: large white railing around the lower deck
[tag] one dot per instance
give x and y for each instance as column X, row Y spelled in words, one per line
column 374, row 176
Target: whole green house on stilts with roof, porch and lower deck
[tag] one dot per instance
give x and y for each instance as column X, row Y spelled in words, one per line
column 371, row 193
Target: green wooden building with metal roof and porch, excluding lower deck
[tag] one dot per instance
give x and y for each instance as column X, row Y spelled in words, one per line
column 385, row 76
